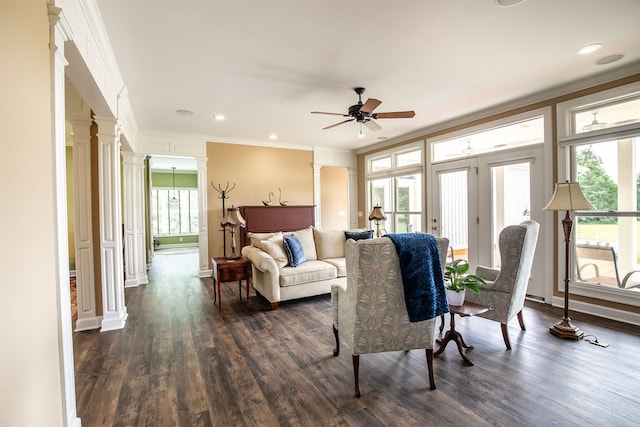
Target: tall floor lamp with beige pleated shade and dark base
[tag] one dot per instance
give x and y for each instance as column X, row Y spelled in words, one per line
column 567, row 196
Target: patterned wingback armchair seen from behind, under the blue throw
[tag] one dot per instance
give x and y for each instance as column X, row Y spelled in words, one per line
column 370, row 314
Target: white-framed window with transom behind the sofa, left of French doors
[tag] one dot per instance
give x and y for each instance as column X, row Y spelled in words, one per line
column 394, row 181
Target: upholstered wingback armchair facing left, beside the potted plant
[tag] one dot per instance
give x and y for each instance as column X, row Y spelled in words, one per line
column 506, row 287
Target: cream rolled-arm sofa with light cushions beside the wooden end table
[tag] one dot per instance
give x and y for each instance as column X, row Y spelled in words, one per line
column 277, row 281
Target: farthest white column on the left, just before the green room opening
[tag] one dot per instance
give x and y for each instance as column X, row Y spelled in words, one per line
column 134, row 243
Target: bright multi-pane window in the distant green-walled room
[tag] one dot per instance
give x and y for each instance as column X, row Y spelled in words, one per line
column 171, row 218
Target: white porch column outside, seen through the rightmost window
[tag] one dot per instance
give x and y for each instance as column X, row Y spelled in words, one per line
column 627, row 201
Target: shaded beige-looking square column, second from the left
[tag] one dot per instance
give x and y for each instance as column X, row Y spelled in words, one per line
column 80, row 119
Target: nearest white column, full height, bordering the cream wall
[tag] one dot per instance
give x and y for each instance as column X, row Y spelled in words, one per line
column 59, row 31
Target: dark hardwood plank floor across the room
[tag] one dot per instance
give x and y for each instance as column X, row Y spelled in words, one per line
column 179, row 362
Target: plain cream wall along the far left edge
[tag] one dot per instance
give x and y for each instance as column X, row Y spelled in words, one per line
column 30, row 377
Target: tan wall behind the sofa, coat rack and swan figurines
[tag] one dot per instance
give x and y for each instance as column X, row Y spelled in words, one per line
column 255, row 171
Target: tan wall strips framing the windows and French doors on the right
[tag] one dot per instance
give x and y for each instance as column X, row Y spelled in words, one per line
column 548, row 103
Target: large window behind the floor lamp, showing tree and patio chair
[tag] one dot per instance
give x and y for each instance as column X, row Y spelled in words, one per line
column 601, row 141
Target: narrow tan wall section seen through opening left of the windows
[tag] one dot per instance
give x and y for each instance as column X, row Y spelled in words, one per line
column 334, row 198
